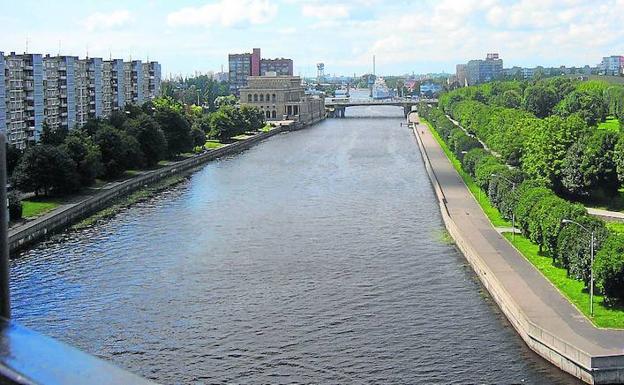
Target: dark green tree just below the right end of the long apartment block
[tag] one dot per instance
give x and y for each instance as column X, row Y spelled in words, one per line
column 150, row 137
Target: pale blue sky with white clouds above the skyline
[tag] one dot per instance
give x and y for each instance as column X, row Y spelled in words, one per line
column 417, row 36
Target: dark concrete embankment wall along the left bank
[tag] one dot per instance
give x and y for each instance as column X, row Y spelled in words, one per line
column 45, row 226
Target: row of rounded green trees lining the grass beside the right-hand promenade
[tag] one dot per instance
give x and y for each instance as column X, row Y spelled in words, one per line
column 539, row 212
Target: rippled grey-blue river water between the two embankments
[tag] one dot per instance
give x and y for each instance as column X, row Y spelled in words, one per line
column 317, row 256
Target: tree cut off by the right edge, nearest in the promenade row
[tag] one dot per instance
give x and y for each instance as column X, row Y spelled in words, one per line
column 609, row 268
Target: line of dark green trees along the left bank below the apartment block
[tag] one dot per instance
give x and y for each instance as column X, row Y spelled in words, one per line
column 136, row 138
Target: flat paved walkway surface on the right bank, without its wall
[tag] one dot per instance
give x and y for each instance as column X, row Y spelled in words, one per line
column 536, row 297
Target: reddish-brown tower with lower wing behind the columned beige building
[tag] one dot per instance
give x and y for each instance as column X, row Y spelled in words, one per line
column 244, row 65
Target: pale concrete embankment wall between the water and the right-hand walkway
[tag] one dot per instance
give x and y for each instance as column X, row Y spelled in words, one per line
column 591, row 369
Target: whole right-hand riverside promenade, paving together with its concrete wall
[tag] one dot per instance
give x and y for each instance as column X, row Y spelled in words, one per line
column 544, row 318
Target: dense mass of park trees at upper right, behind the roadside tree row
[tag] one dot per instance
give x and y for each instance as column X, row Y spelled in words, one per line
column 549, row 129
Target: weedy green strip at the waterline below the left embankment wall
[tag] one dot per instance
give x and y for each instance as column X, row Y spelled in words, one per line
column 125, row 202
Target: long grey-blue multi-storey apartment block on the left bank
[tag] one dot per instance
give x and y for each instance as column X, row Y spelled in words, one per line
column 65, row 91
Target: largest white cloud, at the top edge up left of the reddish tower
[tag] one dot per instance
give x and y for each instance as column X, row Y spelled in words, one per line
column 226, row 13
